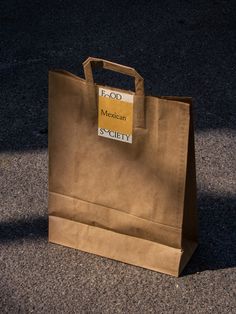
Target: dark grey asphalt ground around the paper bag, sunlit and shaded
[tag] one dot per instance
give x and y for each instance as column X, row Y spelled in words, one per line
column 180, row 48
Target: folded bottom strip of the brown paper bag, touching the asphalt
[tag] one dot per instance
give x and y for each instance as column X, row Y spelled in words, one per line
column 124, row 248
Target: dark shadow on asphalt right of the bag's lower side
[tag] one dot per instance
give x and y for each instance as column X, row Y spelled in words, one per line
column 216, row 235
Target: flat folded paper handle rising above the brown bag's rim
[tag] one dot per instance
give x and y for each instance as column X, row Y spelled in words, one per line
column 139, row 84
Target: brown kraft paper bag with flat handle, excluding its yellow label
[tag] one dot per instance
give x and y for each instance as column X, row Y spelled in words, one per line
column 134, row 203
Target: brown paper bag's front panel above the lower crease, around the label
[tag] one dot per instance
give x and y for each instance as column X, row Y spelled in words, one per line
column 145, row 179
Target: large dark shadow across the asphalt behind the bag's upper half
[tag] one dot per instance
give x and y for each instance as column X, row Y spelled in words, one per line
column 179, row 47
